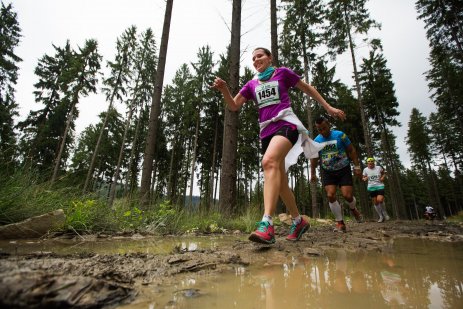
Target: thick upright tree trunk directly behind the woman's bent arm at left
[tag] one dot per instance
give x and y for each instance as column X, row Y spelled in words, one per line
column 230, row 136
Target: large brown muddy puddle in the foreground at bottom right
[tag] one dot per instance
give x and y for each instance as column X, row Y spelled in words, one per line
column 408, row 274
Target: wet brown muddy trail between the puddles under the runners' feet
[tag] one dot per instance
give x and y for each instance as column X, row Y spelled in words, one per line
column 90, row 280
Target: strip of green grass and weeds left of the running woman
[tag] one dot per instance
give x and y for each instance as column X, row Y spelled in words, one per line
column 23, row 196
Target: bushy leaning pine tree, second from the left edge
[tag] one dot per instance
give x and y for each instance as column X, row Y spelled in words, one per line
column 62, row 79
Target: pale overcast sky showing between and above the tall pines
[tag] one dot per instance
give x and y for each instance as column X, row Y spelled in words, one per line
column 197, row 23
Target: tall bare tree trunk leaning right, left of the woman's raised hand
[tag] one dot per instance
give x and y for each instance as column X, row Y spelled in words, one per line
column 155, row 109
